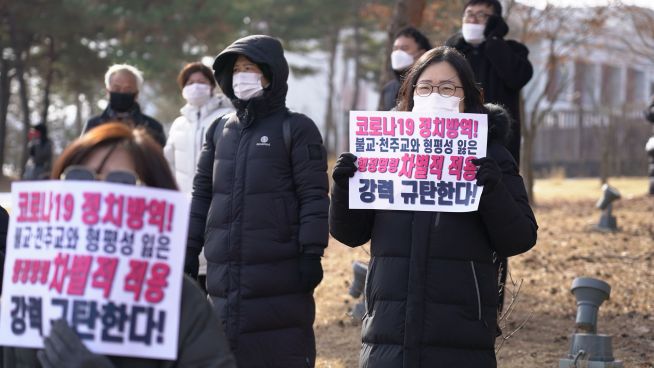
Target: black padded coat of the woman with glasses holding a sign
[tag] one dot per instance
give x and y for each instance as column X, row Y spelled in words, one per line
column 432, row 288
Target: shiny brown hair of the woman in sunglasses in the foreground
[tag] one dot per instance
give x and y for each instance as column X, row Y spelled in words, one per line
column 147, row 155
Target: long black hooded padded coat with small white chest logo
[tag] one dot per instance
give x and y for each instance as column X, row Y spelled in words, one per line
column 255, row 210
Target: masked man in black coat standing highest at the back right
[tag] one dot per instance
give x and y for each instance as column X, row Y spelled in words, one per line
column 501, row 66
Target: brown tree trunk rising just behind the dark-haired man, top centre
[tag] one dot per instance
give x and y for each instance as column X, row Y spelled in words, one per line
column 405, row 13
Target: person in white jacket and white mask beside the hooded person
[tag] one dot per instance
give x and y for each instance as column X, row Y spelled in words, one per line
column 186, row 135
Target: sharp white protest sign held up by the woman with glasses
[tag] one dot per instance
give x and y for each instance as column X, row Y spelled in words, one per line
column 416, row 161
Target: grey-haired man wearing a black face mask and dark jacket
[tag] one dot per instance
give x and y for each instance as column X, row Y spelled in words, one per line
column 123, row 83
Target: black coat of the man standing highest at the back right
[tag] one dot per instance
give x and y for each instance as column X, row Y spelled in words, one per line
column 502, row 68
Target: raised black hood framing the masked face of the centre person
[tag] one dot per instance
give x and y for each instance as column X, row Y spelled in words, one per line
column 260, row 49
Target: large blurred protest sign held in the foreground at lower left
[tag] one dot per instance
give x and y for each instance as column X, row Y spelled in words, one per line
column 107, row 258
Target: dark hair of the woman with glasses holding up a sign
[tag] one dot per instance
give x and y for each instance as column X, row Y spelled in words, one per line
column 473, row 99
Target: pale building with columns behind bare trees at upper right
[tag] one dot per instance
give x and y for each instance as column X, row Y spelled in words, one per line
column 593, row 87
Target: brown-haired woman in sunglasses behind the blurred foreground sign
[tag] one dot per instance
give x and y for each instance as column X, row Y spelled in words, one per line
column 116, row 148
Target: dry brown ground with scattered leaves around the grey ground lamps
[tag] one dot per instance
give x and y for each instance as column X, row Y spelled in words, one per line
column 566, row 249
